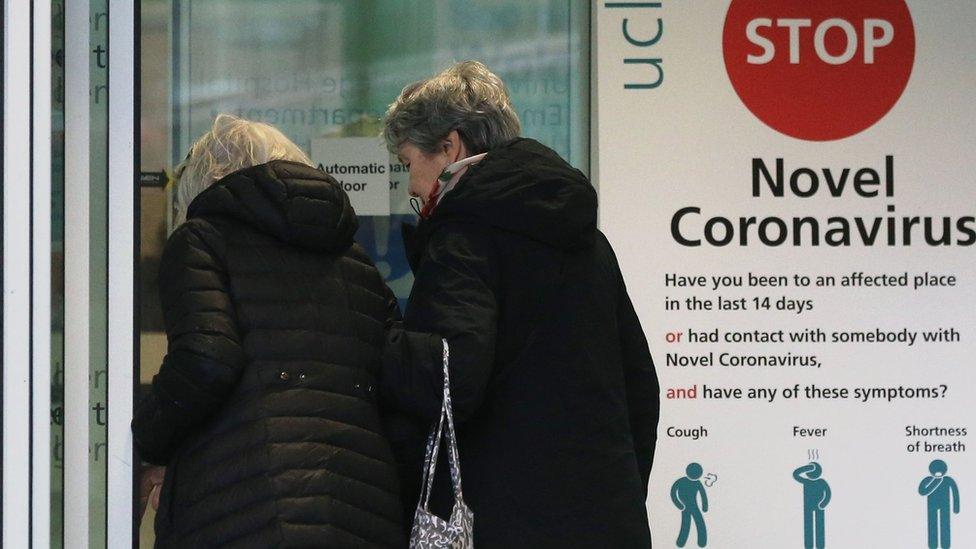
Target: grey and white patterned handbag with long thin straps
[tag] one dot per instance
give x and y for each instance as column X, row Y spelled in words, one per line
column 430, row 531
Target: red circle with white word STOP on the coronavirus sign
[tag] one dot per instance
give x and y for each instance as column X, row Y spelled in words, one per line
column 819, row 70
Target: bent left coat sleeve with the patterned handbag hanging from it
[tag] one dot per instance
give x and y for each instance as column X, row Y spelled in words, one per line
column 454, row 297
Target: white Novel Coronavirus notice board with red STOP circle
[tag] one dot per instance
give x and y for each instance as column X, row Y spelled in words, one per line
column 789, row 188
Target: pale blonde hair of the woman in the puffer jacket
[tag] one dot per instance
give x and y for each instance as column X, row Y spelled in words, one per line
column 232, row 144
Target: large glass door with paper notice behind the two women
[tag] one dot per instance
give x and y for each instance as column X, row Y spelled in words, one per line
column 321, row 70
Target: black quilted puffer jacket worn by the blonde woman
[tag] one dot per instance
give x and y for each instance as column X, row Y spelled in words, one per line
column 264, row 409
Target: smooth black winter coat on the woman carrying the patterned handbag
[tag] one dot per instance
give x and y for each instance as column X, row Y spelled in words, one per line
column 552, row 381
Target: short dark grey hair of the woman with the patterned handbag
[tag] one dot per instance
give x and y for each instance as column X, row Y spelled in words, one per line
column 466, row 97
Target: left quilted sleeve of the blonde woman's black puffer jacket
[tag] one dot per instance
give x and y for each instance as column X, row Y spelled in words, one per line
column 204, row 357
